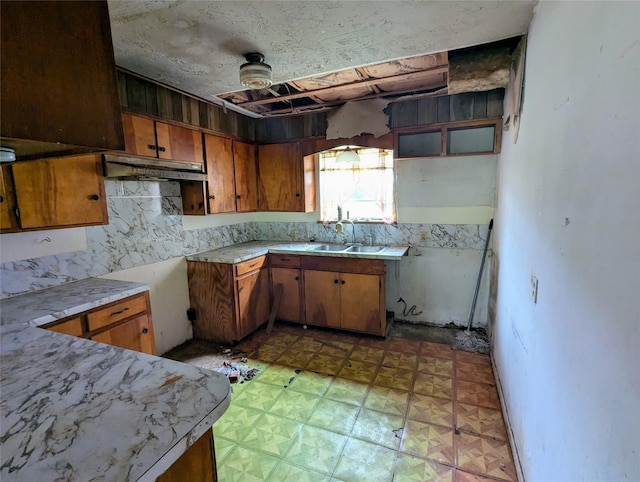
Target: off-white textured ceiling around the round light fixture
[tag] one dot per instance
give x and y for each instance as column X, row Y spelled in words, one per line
column 198, row 46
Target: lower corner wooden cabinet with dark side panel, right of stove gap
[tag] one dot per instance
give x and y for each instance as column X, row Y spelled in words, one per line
column 230, row 300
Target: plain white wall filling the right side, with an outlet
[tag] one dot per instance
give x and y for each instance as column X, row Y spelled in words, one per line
column 567, row 213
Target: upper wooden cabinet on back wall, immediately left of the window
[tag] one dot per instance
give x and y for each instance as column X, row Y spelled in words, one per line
column 286, row 180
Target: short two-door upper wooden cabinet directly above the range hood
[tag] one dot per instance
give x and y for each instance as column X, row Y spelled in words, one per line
column 146, row 137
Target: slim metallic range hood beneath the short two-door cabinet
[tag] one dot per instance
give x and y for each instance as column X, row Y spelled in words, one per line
column 145, row 169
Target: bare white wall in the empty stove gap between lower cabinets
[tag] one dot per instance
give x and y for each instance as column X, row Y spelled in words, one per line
column 169, row 295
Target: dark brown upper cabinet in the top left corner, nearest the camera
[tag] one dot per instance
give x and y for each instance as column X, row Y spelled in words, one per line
column 59, row 89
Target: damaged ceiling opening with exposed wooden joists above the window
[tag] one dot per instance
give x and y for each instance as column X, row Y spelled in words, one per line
column 479, row 68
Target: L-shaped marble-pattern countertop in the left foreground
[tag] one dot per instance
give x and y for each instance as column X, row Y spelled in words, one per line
column 74, row 409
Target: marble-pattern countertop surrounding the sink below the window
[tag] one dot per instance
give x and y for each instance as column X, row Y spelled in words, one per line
column 242, row 252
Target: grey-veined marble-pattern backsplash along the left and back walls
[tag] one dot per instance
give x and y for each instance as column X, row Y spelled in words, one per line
column 145, row 226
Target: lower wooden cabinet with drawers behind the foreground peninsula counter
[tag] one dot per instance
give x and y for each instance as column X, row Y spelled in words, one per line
column 125, row 323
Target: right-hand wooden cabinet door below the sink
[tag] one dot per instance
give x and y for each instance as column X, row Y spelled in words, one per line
column 360, row 295
